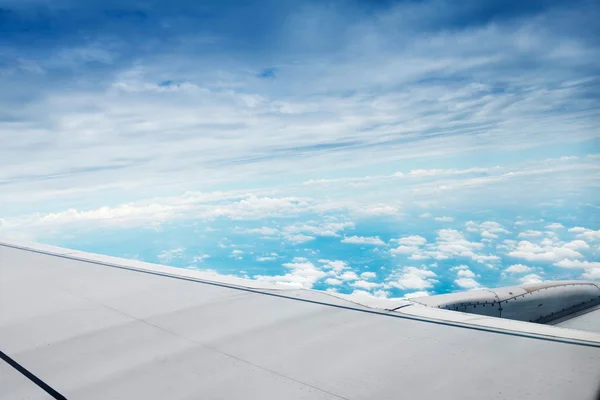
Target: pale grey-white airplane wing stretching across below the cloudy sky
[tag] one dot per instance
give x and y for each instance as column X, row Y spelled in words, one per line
column 82, row 326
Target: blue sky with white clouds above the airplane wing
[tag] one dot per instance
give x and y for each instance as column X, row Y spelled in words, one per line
column 367, row 148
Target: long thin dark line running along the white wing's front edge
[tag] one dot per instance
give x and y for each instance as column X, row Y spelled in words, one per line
column 500, row 331
